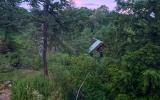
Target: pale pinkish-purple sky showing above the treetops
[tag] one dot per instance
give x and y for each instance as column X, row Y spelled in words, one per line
column 87, row 3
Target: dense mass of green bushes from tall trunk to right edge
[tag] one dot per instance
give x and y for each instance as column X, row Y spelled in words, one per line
column 135, row 77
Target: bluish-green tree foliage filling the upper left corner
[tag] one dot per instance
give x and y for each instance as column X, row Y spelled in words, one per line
column 12, row 19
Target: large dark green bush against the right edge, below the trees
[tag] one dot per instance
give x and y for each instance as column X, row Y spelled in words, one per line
column 142, row 64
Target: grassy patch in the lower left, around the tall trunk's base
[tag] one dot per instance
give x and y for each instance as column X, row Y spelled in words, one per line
column 31, row 85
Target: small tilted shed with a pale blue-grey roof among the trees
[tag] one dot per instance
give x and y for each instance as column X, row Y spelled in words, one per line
column 97, row 45
